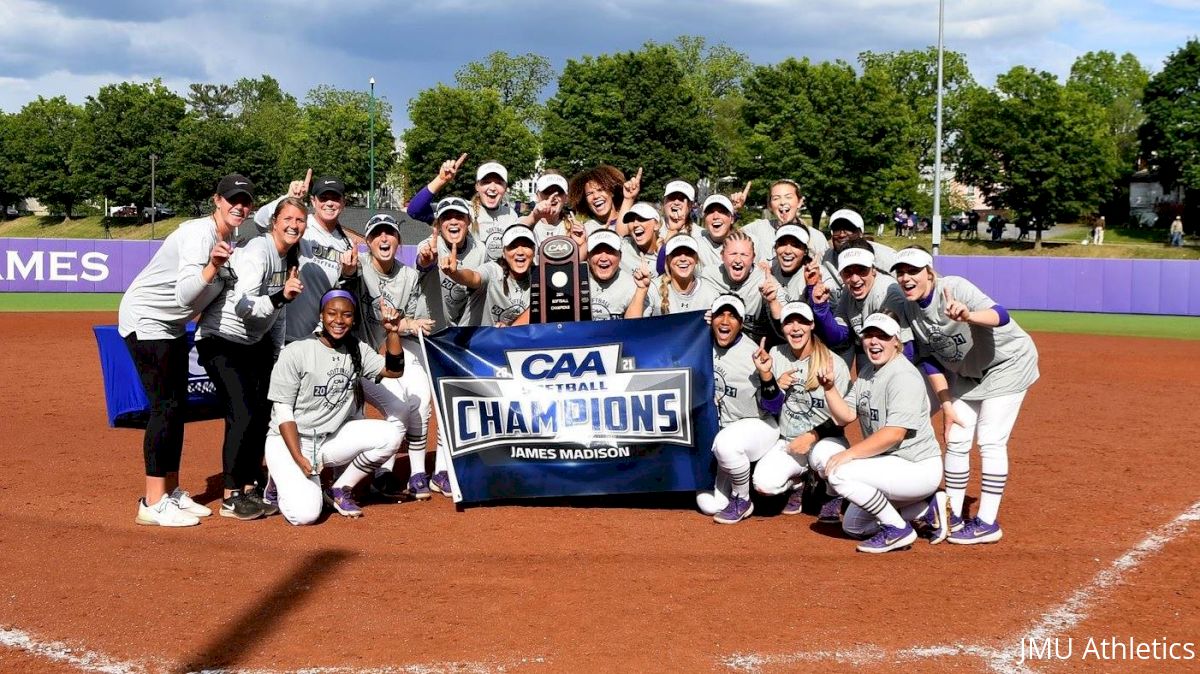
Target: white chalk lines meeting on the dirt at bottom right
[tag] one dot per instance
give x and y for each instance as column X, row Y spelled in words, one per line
column 1054, row 622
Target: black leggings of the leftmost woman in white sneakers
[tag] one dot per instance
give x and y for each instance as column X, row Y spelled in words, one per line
column 163, row 368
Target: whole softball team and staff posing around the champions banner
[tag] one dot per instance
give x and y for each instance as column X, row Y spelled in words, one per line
column 303, row 324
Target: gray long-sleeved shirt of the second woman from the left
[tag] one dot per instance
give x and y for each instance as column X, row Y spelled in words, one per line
column 244, row 312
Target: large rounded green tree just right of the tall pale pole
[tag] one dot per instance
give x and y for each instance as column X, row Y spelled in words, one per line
column 1036, row 147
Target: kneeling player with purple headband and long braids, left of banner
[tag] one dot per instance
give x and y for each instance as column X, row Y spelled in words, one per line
column 316, row 392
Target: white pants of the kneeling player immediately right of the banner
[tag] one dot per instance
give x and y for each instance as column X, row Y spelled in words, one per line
column 736, row 448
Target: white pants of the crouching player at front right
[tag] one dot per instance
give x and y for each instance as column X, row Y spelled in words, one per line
column 879, row 485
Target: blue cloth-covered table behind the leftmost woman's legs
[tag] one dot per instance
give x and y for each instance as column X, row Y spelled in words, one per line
column 127, row 399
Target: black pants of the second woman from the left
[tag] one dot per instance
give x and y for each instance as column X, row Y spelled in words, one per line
column 242, row 375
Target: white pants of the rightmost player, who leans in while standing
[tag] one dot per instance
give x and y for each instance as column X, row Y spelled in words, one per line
column 992, row 422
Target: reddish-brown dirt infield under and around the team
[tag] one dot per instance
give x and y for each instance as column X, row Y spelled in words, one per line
column 1101, row 541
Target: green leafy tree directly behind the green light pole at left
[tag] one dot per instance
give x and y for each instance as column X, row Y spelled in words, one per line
column 334, row 139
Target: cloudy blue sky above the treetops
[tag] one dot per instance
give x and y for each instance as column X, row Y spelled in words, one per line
column 74, row 47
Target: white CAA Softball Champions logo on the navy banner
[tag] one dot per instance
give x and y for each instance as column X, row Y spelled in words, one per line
column 575, row 398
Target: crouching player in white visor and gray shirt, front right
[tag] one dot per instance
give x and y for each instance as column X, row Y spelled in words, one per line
column 892, row 476
